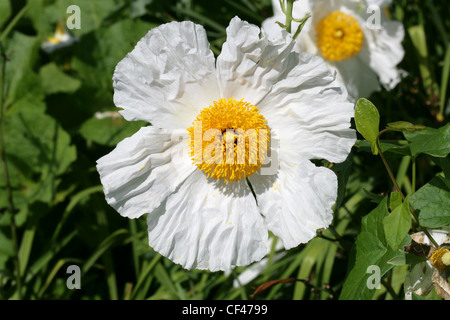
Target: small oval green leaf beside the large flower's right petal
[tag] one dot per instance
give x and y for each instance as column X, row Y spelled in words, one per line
column 367, row 121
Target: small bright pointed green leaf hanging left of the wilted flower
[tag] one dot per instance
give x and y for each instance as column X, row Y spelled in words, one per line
column 397, row 224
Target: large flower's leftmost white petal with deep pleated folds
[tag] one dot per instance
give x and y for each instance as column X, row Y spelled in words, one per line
column 143, row 170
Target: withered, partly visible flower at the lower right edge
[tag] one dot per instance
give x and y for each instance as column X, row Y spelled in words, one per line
column 432, row 272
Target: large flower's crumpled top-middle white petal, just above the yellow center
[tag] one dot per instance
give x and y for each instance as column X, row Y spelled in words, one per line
column 249, row 64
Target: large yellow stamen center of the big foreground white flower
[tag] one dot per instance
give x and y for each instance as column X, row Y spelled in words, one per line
column 229, row 140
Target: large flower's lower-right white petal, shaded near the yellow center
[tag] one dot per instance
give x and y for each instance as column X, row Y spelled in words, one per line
column 296, row 201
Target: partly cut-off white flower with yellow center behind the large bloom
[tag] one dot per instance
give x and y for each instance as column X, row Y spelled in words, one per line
column 355, row 38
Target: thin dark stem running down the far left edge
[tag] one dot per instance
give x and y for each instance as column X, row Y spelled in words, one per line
column 12, row 208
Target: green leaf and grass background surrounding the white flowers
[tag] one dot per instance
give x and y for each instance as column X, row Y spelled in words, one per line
column 52, row 140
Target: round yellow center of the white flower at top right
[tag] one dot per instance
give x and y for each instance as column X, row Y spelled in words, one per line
column 339, row 36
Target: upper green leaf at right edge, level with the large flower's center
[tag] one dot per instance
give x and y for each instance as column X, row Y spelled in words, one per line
column 435, row 142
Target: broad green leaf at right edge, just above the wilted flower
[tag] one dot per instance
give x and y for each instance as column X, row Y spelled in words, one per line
column 432, row 201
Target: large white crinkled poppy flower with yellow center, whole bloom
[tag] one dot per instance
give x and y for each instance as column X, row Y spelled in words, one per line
column 216, row 216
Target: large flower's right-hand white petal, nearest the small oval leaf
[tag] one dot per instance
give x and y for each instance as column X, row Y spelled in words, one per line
column 315, row 119
